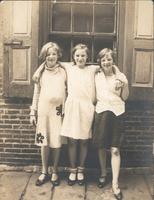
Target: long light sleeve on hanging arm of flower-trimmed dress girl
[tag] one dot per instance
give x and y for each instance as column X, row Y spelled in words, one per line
column 34, row 107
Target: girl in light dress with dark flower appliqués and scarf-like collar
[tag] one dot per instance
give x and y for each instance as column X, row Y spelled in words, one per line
column 47, row 109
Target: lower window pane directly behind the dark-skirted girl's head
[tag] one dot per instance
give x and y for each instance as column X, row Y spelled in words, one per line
column 99, row 44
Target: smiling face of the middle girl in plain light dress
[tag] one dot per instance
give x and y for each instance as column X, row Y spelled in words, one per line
column 80, row 57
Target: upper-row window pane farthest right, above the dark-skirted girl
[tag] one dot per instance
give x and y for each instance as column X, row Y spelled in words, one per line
column 104, row 18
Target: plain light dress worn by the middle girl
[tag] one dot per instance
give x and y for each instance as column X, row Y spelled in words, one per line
column 79, row 105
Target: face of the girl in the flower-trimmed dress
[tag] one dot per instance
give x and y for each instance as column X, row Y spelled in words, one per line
column 52, row 57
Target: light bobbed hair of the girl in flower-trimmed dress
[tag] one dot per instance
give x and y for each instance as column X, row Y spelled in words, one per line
column 46, row 47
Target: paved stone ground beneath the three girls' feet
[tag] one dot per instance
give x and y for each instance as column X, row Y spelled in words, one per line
column 21, row 186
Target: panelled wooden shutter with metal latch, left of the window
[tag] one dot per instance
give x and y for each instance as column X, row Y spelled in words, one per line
column 21, row 19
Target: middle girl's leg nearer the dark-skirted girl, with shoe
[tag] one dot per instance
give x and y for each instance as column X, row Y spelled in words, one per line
column 82, row 159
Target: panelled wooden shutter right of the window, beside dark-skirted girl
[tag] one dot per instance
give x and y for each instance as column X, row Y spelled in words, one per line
column 139, row 49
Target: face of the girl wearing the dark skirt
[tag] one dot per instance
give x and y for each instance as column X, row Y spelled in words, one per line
column 106, row 63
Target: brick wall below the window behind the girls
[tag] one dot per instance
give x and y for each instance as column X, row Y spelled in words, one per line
column 17, row 135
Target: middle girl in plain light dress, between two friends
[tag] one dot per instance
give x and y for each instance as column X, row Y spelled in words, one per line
column 79, row 111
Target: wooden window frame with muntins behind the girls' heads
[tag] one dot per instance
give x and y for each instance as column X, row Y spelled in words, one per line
column 92, row 35
